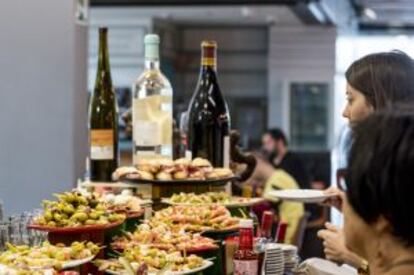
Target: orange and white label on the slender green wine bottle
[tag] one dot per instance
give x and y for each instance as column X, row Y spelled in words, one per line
column 102, row 144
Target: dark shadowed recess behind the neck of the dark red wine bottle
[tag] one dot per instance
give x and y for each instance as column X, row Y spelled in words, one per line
column 241, row 61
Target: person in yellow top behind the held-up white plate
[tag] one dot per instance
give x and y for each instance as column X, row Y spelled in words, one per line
column 276, row 179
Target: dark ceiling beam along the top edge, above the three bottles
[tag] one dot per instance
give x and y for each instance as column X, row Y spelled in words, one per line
column 189, row 2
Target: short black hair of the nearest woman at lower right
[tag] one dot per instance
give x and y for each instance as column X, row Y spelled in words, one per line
column 380, row 173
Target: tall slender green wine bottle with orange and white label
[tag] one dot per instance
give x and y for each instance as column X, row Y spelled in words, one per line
column 103, row 118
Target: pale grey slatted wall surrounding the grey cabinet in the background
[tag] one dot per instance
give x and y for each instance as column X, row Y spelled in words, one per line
column 298, row 54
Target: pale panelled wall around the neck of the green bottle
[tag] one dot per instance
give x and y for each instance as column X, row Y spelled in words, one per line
column 126, row 44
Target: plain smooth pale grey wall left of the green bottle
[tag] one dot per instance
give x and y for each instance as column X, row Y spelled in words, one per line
column 43, row 101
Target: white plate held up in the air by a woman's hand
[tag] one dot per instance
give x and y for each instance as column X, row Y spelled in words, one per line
column 301, row 195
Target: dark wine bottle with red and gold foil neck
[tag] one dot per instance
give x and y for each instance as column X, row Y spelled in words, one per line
column 208, row 114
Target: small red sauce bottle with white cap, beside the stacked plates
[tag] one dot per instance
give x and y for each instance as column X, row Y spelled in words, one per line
column 245, row 259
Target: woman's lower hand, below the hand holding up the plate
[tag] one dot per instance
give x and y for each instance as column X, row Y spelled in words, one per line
column 335, row 248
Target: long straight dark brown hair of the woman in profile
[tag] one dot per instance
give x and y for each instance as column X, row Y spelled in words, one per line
column 383, row 78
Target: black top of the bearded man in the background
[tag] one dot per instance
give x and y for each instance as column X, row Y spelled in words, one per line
column 293, row 165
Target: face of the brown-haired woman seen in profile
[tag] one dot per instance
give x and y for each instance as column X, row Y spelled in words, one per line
column 357, row 107
